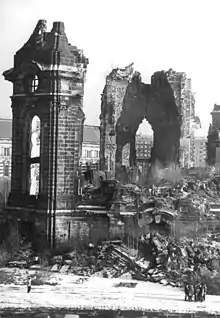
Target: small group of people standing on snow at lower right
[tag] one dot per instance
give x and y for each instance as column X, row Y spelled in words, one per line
column 195, row 292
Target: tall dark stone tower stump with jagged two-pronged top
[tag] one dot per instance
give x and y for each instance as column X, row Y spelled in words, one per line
column 57, row 100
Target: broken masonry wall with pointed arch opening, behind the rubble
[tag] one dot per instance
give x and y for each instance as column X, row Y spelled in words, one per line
column 168, row 104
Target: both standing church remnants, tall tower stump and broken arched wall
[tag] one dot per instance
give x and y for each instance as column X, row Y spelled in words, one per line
column 47, row 104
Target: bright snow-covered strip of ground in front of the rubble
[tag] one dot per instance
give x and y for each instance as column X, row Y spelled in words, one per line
column 101, row 293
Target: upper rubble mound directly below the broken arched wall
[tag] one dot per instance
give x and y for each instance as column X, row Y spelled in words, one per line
column 190, row 198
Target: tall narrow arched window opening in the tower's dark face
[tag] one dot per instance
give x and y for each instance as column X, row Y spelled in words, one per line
column 34, row 157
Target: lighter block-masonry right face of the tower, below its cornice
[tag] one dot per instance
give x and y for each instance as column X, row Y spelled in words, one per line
column 69, row 143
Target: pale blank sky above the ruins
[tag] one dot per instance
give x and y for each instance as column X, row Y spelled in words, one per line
column 154, row 34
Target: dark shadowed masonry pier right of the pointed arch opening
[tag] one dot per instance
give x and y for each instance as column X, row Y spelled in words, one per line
column 165, row 118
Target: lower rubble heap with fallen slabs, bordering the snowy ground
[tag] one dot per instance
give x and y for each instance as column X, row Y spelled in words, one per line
column 160, row 259
